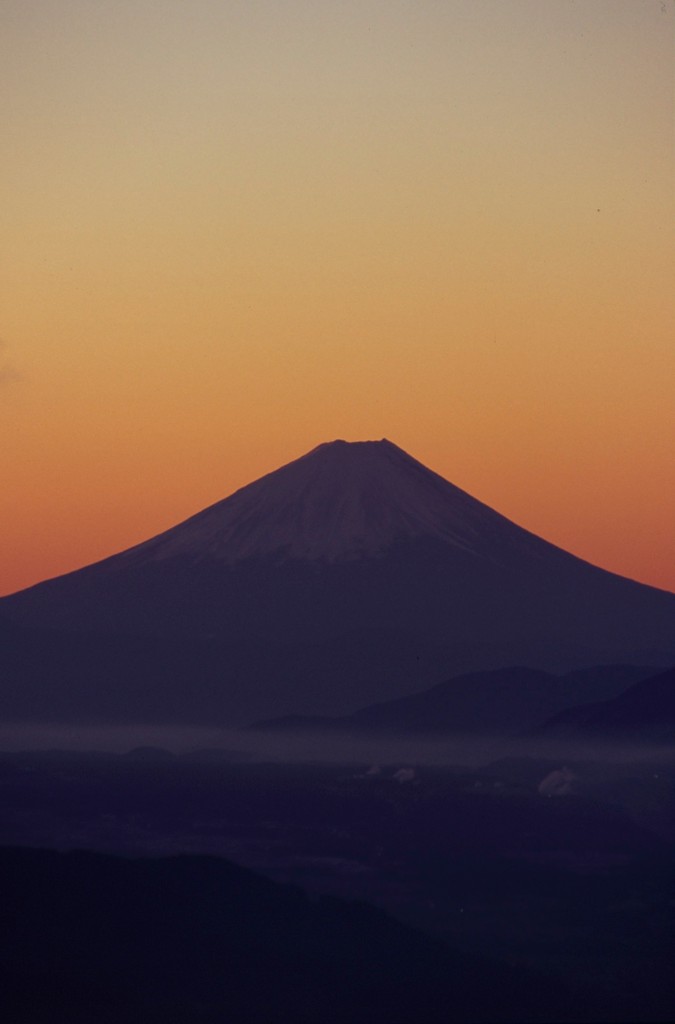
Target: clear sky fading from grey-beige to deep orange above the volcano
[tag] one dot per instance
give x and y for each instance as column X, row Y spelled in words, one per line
column 237, row 230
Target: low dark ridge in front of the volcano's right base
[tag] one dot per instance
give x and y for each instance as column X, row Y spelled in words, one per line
column 503, row 702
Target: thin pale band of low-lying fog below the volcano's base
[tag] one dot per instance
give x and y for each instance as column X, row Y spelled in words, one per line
column 288, row 747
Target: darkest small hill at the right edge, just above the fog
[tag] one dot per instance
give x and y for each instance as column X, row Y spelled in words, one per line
column 645, row 712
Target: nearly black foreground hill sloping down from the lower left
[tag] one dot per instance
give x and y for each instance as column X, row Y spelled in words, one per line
column 89, row 937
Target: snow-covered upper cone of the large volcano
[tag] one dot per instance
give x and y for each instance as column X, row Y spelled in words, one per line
column 340, row 502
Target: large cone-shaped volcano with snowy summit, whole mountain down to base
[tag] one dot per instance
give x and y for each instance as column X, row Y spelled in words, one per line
column 351, row 576
